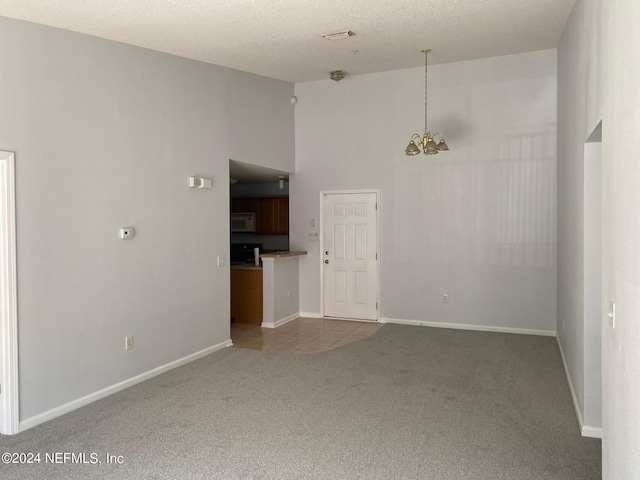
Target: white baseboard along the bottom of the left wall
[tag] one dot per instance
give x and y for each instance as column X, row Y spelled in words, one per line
column 105, row 392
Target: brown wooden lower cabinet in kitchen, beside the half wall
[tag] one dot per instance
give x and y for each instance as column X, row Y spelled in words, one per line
column 246, row 295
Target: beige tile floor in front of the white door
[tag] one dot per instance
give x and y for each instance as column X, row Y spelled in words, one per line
column 303, row 335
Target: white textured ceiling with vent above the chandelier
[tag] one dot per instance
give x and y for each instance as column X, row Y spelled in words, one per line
column 282, row 38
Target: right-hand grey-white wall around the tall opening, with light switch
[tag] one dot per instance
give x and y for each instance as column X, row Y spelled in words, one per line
column 598, row 77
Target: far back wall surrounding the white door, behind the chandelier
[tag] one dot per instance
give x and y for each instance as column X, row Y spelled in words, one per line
column 477, row 222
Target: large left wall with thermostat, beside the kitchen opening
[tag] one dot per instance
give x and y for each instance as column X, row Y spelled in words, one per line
column 106, row 136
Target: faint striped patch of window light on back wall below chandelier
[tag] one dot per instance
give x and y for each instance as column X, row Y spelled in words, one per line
column 498, row 208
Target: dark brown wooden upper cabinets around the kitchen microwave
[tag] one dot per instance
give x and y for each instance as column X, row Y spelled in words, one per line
column 272, row 214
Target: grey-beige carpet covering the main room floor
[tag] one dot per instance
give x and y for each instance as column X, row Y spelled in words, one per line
column 406, row 403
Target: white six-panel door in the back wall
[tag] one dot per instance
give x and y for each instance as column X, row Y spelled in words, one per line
column 349, row 255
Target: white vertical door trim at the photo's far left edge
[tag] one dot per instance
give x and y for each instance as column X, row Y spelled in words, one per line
column 9, row 400
